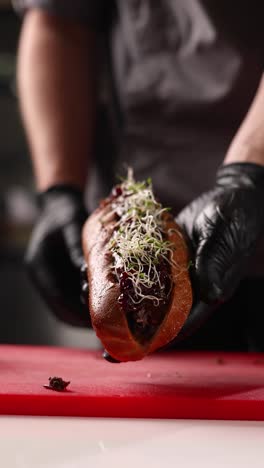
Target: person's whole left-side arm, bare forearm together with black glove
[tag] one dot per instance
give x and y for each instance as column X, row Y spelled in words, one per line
column 57, row 87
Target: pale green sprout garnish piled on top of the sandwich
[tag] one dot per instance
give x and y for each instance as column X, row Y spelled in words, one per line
column 138, row 243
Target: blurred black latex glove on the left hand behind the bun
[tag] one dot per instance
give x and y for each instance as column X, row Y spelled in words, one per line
column 54, row 256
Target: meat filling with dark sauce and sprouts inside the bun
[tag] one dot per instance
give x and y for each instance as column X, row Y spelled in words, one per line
column 140, row 257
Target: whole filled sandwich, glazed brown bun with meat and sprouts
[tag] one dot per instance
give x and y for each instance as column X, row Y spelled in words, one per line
column 140, row 292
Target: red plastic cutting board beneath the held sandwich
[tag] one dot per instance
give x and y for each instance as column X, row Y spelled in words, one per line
column 164, row 385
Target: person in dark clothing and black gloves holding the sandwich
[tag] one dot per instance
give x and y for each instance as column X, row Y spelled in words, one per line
column 173, row 89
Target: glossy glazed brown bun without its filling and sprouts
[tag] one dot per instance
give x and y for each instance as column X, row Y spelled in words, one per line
column 108, row 317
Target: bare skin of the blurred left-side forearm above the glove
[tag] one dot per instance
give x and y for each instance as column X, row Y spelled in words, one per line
column 56, row 85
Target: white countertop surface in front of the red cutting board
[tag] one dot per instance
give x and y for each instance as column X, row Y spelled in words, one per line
column 105, row 443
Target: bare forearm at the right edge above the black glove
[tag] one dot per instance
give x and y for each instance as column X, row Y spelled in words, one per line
column 248, row 143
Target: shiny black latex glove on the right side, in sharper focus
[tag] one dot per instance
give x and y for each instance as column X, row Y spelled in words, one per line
column 223, row 227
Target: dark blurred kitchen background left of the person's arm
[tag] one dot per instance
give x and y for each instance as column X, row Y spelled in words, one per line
column 24, row 317
